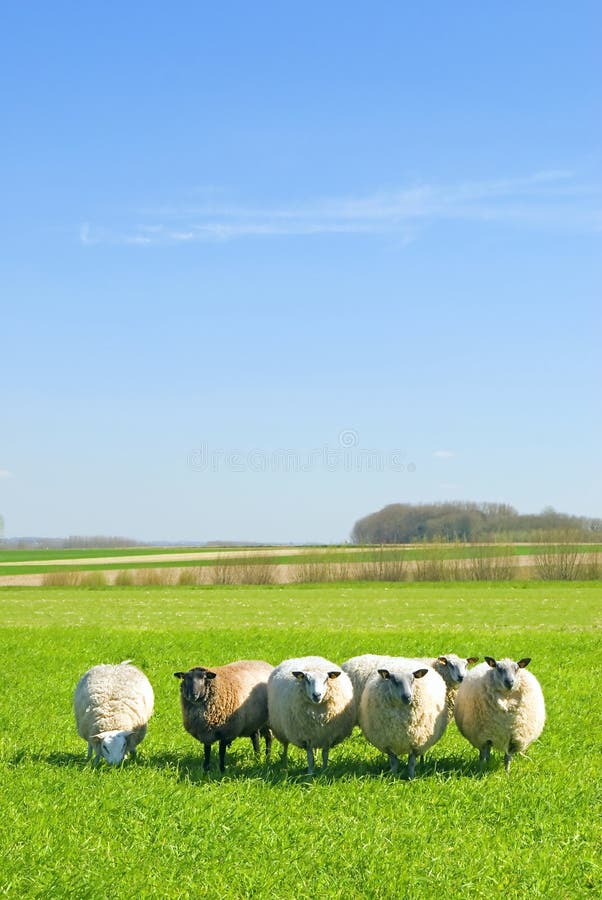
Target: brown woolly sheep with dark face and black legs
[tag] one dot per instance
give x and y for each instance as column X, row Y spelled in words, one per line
column 226, row 702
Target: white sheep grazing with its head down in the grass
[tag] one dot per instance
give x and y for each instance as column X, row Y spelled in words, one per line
column 112, row 705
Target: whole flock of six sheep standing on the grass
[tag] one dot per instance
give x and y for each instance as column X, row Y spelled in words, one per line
column 402, row 705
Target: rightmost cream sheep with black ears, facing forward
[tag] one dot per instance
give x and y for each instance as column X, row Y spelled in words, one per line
column 500, row 705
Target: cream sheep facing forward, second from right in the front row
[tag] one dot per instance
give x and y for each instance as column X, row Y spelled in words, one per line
column 403, row 710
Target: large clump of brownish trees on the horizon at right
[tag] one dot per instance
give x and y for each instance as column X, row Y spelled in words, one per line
column 404, row 523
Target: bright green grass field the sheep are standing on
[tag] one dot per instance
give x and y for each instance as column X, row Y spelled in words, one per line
column 159, row 827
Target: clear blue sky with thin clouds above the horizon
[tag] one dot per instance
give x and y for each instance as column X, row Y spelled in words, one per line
column 239, row 234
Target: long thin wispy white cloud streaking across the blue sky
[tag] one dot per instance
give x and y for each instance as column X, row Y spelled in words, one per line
column 545, row 199
